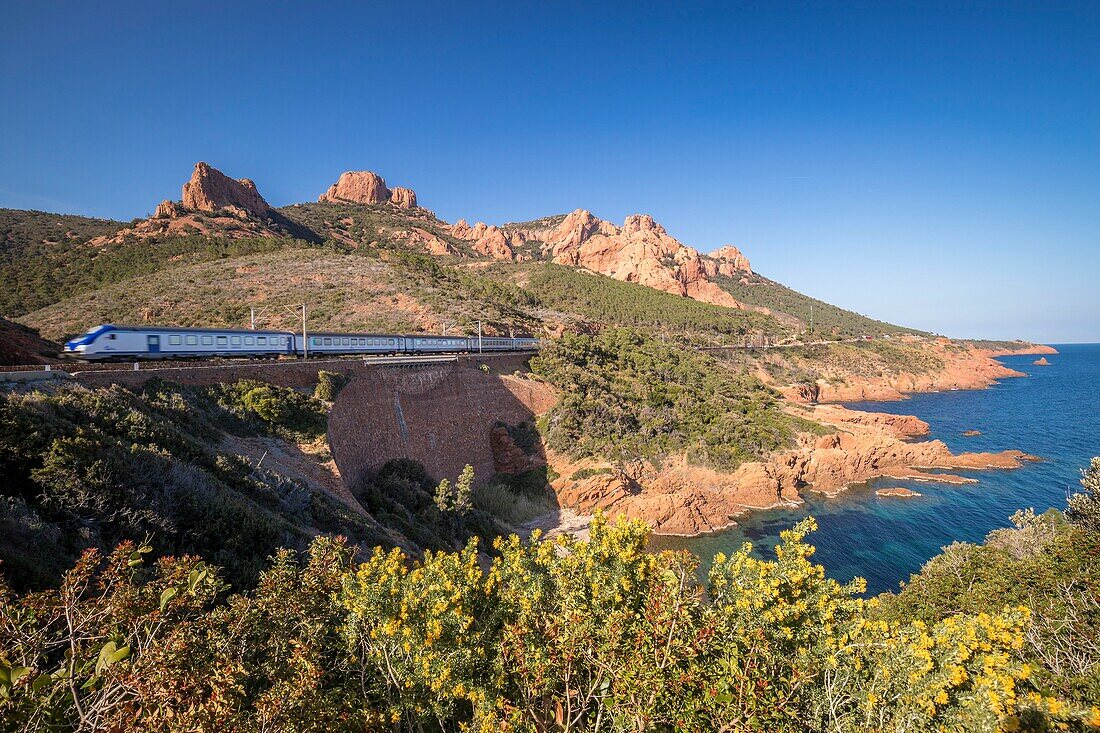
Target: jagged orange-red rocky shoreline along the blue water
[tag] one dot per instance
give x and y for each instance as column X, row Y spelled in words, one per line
column 679, row 499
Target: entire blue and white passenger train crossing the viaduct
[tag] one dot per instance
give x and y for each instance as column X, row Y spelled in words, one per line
column 109, row 343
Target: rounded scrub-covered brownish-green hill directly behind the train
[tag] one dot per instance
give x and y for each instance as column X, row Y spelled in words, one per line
column 346, row 292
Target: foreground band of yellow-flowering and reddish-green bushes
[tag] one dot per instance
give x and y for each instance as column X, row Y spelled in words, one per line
column 553, row 637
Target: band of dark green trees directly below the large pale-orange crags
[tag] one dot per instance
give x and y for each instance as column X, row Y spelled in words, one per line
column 608, row 301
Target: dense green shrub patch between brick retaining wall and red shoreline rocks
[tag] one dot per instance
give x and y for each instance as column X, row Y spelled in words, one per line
column 626, row 396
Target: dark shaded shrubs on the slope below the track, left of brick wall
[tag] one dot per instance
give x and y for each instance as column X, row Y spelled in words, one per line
column 91, row 468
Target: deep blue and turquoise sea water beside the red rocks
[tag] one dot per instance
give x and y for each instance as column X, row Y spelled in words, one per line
column 1053, row 413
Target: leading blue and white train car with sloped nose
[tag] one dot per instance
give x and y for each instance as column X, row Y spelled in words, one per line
column 108, row 342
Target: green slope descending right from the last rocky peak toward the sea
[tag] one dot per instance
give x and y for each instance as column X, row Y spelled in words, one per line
column 829, row 320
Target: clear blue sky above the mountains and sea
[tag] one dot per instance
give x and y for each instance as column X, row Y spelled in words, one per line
column 934, row 165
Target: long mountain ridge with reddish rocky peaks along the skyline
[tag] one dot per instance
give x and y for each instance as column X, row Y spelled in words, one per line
column 360, row 213
